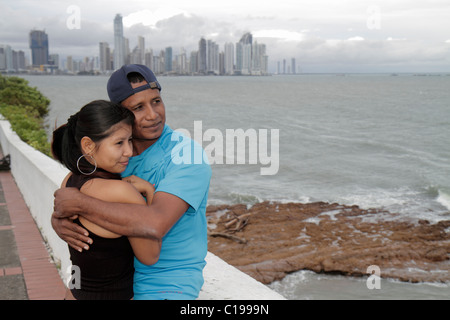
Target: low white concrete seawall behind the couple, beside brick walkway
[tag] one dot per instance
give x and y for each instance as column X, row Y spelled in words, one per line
column 38, row 176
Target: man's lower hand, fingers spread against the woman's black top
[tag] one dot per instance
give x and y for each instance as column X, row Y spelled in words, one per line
column 70, row 232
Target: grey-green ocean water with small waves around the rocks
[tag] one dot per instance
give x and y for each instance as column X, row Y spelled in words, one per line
column 377, row 141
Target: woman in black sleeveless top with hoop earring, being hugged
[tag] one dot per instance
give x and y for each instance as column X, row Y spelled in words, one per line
column 95, row 145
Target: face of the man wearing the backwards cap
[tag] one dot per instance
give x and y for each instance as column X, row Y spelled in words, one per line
column 149, row 110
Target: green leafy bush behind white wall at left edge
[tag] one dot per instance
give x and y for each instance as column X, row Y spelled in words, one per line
column 25, row 108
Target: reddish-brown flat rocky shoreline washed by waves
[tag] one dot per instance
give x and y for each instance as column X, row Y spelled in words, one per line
column 270, row 240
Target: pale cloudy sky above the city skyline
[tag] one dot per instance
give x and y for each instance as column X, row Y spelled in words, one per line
column 323, row 35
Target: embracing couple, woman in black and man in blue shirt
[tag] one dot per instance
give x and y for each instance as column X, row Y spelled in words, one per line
column 134, row 220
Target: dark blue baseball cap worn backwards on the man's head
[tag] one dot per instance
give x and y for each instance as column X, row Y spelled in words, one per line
column 119, row 87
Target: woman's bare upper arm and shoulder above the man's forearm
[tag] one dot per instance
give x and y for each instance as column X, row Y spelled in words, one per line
column 112, row 191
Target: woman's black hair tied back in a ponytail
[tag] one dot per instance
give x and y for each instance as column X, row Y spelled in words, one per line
column 94, row 120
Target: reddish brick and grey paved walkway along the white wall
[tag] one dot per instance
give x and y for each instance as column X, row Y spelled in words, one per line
column 27, row 271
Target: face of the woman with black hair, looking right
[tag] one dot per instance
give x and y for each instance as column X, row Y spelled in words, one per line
column 112, row 153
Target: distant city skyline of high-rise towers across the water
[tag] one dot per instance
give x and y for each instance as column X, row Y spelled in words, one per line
column 246, row 58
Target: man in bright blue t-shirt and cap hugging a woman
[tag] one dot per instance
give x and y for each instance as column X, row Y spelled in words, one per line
column 177, row 213
